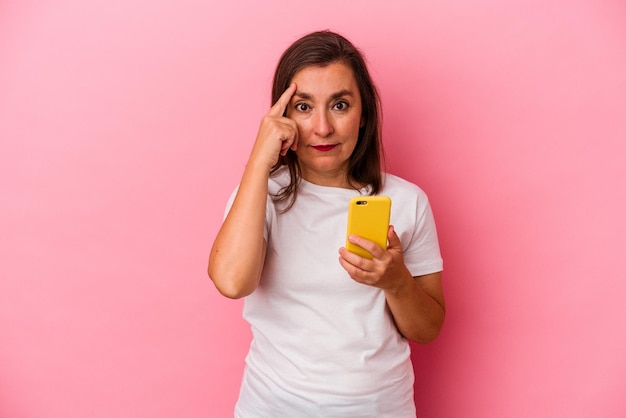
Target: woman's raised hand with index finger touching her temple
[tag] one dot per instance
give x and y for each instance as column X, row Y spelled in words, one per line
column 277, row 133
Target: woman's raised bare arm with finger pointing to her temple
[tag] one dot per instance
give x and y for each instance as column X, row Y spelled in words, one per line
column 238, row 252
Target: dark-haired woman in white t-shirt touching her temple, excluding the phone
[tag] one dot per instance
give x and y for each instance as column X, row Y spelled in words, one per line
column 330, row 328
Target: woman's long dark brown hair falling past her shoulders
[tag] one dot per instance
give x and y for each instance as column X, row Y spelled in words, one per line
column 321, row 49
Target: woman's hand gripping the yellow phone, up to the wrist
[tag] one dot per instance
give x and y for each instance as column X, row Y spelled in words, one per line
column 386, row 270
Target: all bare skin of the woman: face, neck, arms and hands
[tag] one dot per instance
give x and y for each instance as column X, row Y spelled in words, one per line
column 323, row 117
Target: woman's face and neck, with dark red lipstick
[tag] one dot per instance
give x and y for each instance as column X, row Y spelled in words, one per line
column 327, row 110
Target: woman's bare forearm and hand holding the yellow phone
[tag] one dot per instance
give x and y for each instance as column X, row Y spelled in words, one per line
column 416, row 303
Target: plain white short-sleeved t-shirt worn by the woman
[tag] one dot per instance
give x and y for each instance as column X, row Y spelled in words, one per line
column 324, row 345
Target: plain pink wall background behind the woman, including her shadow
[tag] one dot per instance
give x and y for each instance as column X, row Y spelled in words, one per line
column 124, row 126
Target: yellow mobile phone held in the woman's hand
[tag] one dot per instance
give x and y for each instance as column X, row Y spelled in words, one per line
column 368, row 217
